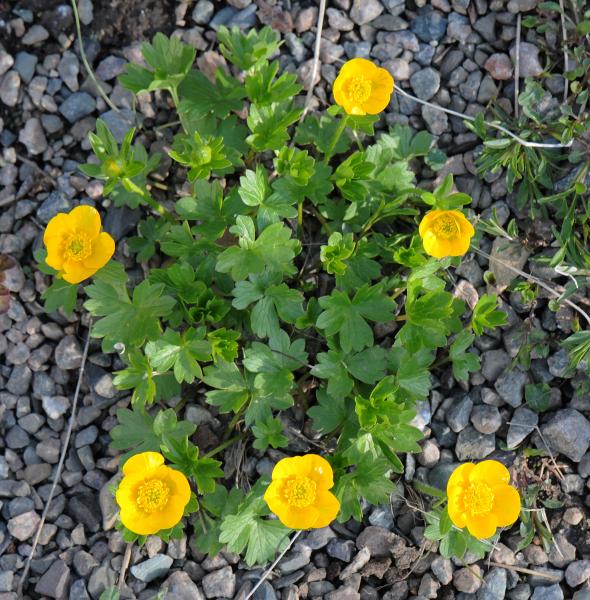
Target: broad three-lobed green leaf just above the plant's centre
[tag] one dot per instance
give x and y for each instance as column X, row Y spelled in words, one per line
column 273, row 248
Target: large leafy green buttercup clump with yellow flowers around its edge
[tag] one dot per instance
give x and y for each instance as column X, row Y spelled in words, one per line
column 298, row 282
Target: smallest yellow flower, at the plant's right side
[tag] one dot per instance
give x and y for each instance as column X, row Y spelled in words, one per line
column 446, row 233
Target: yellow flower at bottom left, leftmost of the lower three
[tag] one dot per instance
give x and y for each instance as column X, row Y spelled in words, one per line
column 151, row 496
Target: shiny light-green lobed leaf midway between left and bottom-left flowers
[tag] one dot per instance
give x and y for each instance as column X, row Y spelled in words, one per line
column 180, row 352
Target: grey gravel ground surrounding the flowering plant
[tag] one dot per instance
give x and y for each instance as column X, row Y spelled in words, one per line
column 456, row 53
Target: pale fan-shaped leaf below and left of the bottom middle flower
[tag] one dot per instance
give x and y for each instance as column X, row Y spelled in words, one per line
column 249, row 530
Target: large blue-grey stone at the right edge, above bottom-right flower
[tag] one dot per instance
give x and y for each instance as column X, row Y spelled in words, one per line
column 568, row 433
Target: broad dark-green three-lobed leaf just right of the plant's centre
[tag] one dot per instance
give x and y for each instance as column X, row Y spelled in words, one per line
column 348, row 318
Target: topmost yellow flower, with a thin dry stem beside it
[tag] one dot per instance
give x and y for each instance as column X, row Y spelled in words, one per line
column 362, row 88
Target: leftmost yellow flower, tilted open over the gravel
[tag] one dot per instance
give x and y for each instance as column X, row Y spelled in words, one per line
column 76, row 247
